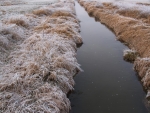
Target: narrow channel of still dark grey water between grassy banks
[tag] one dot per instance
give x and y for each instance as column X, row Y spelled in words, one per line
column 108, row 83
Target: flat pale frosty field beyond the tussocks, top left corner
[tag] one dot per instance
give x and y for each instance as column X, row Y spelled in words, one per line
column 14, row 7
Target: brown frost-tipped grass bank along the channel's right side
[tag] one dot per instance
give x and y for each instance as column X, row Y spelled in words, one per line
column 130, row 21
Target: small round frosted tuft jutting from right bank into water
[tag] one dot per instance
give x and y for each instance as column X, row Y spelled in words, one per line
column 130, row 55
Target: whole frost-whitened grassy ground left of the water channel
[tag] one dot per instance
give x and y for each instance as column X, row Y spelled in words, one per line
column 38, row 43
